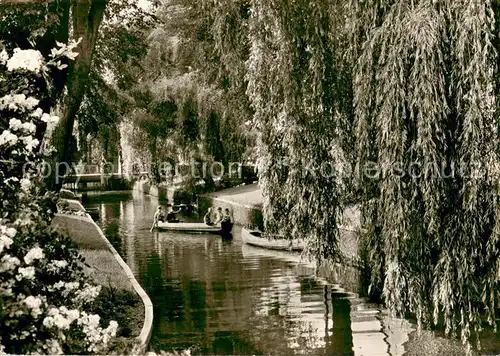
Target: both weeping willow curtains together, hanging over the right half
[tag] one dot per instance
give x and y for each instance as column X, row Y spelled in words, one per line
column 423, row 92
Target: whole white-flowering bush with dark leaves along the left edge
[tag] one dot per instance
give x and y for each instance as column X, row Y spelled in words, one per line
column 45, row 296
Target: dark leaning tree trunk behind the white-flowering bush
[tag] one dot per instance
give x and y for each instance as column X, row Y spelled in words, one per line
column 87, row 16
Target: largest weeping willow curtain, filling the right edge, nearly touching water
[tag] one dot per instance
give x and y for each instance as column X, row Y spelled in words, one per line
column 425, row 102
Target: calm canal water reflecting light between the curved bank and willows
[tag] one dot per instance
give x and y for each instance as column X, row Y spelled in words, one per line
column 225, row 297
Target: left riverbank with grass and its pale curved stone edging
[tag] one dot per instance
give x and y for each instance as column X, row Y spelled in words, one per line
column 121, row 292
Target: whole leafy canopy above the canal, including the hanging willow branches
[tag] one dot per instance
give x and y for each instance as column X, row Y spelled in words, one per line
column 388, row 104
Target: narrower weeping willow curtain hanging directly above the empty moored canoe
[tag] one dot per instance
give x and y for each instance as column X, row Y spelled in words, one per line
column 295, row 86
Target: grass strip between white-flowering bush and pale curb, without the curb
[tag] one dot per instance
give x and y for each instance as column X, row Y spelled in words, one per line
column 118, row 299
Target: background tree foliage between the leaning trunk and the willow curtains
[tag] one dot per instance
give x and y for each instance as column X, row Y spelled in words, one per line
column 177, row 102
